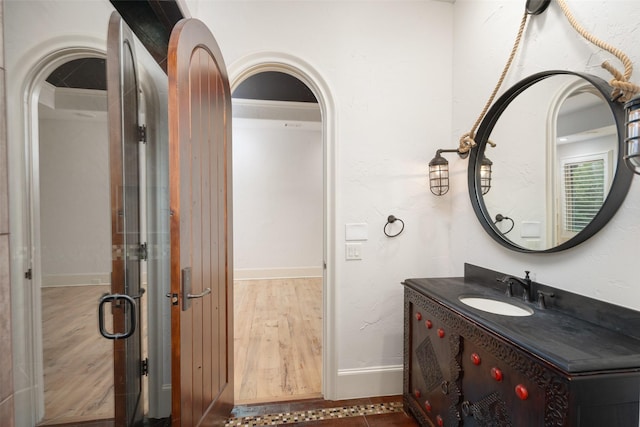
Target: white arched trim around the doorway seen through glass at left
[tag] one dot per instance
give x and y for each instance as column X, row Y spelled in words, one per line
column 33, row 300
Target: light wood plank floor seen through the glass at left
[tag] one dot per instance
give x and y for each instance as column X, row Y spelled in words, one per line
column 78, row 362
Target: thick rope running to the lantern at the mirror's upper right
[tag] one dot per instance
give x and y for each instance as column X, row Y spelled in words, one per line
column 624, row 90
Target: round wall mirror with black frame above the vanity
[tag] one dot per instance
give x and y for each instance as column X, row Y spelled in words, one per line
column 557, row 169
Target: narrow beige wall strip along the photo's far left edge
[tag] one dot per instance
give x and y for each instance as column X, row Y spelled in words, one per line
column 6, row 372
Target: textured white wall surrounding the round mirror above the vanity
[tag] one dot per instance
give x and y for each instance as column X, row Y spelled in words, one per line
column 601, row 267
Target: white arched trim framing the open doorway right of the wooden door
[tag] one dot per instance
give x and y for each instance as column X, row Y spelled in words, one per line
column 274, row 61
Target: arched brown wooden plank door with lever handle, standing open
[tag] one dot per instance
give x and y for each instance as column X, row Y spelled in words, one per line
column 201, row 229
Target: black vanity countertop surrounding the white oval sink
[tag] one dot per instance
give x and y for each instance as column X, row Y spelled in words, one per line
column 570, row 343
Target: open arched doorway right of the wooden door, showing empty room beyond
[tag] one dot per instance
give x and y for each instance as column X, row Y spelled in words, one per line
column 278, row 239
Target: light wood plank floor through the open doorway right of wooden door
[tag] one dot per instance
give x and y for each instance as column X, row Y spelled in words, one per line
column 277, row 339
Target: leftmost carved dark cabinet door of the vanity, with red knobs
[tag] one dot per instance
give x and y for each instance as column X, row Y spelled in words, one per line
column 433, row 382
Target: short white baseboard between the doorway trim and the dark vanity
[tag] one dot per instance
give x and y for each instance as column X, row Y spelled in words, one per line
column 369, row 382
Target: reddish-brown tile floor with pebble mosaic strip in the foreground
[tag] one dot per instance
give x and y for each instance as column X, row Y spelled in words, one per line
column 370, row 412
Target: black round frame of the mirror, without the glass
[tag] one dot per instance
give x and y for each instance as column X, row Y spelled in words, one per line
column 619, row 187
